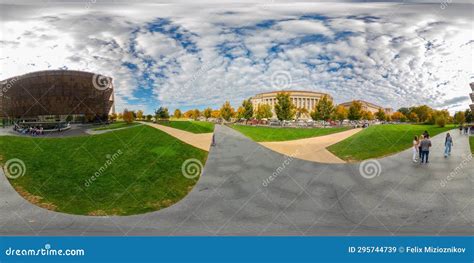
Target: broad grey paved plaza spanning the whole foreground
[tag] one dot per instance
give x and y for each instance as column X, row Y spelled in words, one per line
column 234, row 196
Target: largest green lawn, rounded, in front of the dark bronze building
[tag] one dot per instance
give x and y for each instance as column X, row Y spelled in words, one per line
column 137, row 170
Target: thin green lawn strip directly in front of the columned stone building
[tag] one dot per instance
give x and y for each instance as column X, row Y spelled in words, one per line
column 273, row 134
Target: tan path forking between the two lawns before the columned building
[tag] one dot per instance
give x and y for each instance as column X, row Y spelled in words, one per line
column 312, row 149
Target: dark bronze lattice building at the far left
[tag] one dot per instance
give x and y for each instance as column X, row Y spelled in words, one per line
column 57, row 95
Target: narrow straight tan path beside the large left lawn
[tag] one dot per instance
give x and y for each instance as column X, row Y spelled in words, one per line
column 198, row 140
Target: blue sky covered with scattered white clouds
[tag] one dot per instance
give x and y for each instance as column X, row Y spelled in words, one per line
column 196, row 54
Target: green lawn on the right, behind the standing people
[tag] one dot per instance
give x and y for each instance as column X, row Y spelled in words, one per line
column 381, row 140
